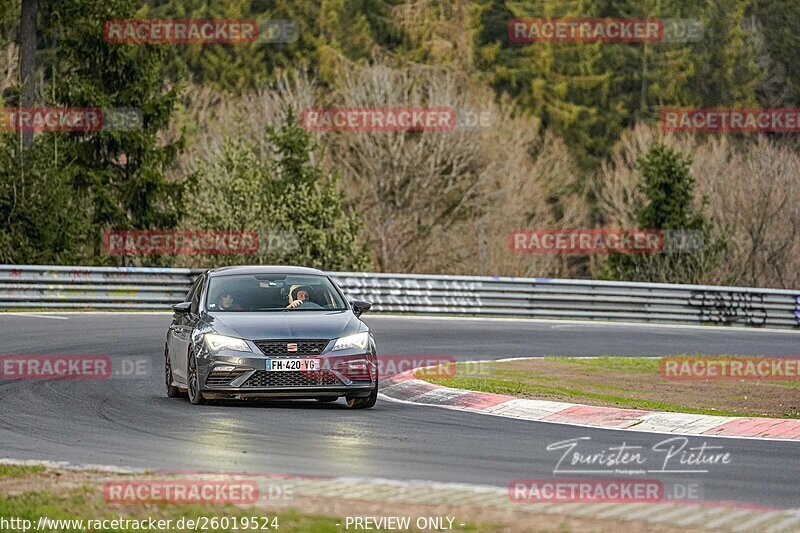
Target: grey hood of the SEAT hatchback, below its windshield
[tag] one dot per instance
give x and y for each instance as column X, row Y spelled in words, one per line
column 286, row 324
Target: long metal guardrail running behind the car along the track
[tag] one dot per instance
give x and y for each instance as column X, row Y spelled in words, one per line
column 59, row 287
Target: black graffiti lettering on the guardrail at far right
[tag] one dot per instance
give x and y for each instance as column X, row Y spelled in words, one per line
column 730, row 307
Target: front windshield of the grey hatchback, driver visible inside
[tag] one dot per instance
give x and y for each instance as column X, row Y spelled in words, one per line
column 272, row 292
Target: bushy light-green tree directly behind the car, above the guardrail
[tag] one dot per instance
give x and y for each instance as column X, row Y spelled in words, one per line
column 290, row 197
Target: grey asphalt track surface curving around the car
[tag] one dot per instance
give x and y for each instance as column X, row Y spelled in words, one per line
column 131, row 423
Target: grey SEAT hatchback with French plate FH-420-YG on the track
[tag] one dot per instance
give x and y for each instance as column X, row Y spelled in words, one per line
column 270, row 332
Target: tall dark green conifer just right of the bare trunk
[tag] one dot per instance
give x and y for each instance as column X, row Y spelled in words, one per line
column 121, row 172
